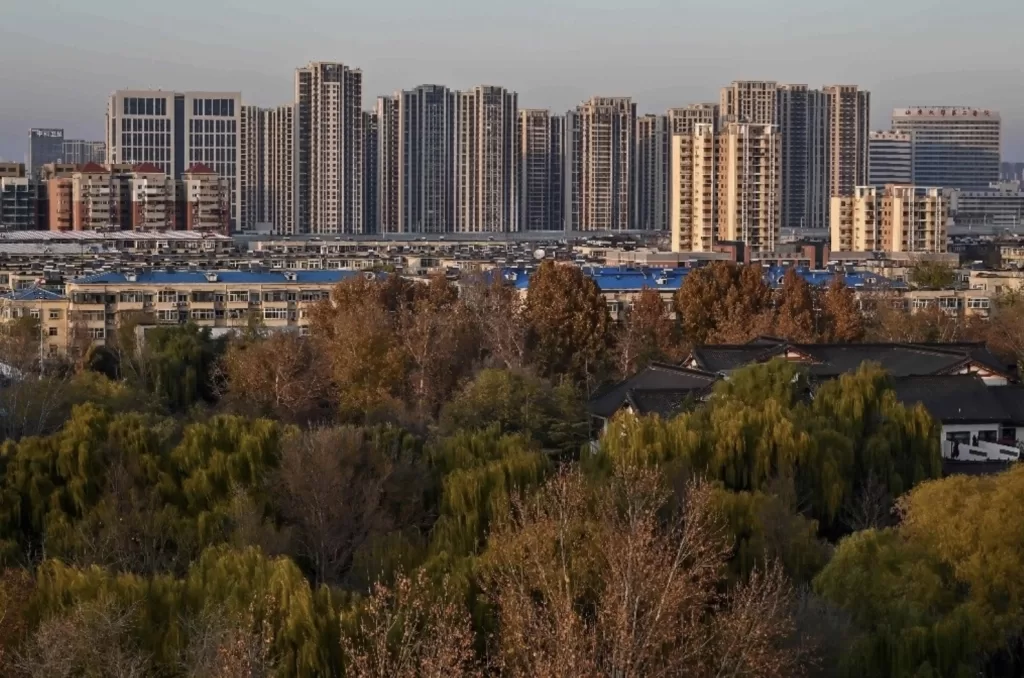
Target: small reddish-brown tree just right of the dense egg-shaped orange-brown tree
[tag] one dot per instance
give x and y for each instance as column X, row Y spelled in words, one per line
column 646, row 334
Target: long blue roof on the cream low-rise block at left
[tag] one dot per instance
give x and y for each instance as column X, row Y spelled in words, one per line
column 228, row 277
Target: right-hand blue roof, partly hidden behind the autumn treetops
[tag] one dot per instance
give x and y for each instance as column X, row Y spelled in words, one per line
column 626, row 280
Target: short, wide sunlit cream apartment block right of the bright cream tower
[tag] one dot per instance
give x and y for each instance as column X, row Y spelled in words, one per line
column 893, row 219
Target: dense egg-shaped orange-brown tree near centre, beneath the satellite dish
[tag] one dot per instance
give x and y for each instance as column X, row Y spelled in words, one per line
column 570, row 327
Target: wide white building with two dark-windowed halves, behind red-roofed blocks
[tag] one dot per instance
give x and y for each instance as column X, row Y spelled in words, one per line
column 176, row 131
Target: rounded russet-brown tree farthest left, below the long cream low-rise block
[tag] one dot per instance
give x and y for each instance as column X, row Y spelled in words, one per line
column 279, row 376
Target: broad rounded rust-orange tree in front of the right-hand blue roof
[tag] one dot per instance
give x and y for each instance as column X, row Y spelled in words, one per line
column 724, row 304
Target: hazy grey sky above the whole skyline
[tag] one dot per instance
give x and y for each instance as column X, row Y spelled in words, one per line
column 63, row 58
